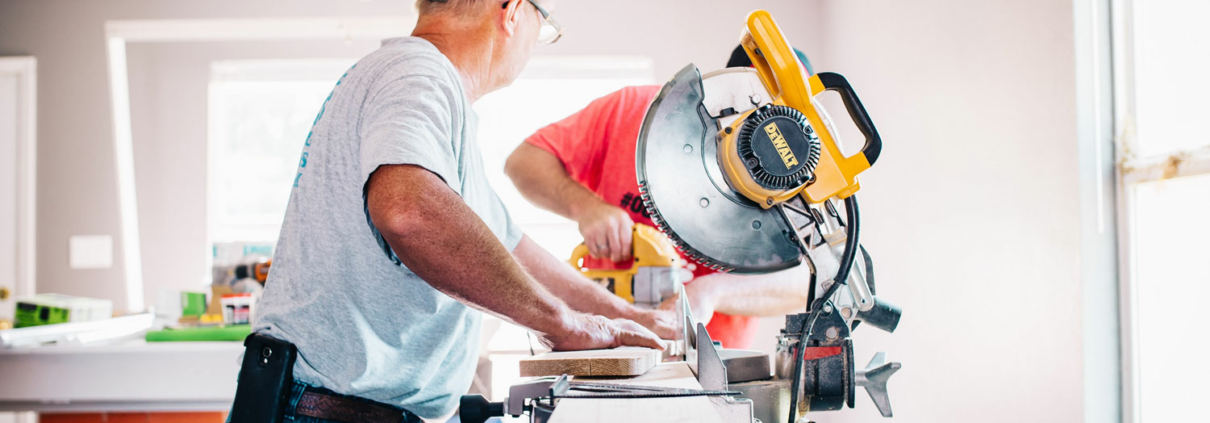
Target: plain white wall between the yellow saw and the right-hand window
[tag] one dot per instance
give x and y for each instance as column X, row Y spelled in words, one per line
column 972, row 212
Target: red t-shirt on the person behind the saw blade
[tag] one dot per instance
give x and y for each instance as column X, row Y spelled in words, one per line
column 597, row 149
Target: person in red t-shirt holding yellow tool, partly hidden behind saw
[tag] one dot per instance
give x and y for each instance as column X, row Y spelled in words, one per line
column 583, row 169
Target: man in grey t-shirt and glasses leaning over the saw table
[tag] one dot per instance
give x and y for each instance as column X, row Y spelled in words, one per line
column 394, row 241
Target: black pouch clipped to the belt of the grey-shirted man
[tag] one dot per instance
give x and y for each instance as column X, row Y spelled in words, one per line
column 266, row 380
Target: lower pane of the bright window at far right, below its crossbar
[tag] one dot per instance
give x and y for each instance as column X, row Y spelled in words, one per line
column 1172, row 280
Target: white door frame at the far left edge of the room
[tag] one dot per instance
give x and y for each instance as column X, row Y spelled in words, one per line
column 26, row 69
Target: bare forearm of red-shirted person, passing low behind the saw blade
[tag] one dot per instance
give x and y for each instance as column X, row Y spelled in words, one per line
column 765, row 295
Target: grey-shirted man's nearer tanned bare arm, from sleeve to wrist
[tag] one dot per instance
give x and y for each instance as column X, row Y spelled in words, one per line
column 440, row 239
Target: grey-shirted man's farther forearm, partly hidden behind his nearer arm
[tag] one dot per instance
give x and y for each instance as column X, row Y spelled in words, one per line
column 563, row 281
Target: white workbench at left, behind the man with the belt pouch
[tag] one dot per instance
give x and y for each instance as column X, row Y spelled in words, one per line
column 124, row 376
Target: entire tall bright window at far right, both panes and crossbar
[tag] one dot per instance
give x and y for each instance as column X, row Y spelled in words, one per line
column 1165, row 157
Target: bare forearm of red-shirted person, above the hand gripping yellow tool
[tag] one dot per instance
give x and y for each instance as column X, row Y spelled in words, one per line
column 543, row 181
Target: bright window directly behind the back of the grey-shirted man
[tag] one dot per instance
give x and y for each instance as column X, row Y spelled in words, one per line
column 260, row 114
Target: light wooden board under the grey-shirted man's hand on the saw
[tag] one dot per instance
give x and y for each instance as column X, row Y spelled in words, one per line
column 619, row 362
